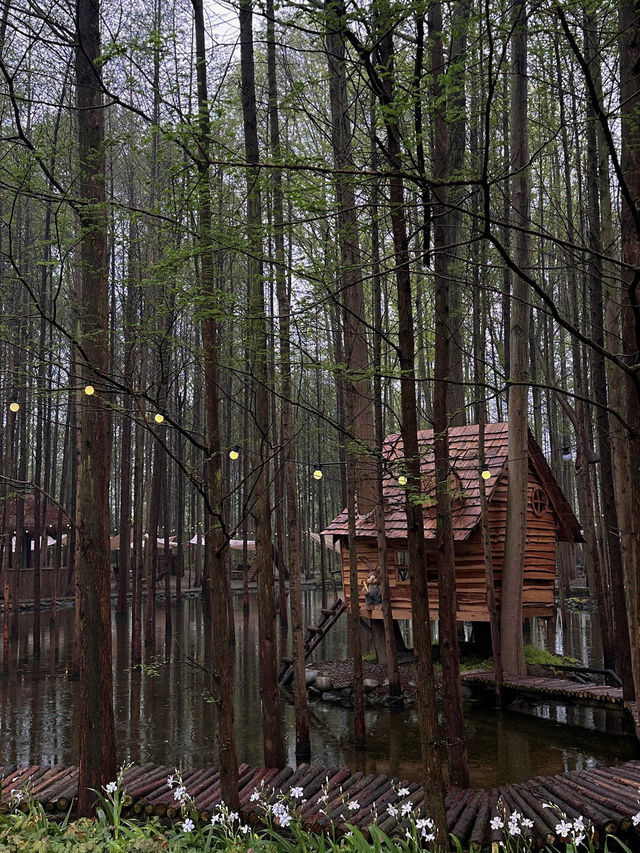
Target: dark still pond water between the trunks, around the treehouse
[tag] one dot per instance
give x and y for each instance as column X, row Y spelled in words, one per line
column 164, row 713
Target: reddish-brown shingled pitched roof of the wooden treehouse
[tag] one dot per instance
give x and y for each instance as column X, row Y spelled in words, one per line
column 464, row 478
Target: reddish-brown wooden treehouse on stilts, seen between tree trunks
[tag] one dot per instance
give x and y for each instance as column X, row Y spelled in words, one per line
column 550, row 519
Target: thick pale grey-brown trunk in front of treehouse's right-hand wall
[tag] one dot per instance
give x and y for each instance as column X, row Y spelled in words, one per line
column 517, row 492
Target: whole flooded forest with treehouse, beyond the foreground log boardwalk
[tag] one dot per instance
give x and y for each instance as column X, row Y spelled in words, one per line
column 312, row 308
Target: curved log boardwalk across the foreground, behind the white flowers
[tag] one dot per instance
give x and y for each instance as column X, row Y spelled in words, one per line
column 606, row 797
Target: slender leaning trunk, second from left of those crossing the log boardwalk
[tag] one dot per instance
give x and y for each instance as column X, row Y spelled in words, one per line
column 216, row 540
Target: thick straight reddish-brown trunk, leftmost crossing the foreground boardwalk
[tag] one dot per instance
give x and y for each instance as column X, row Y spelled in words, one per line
column 97, row 750
